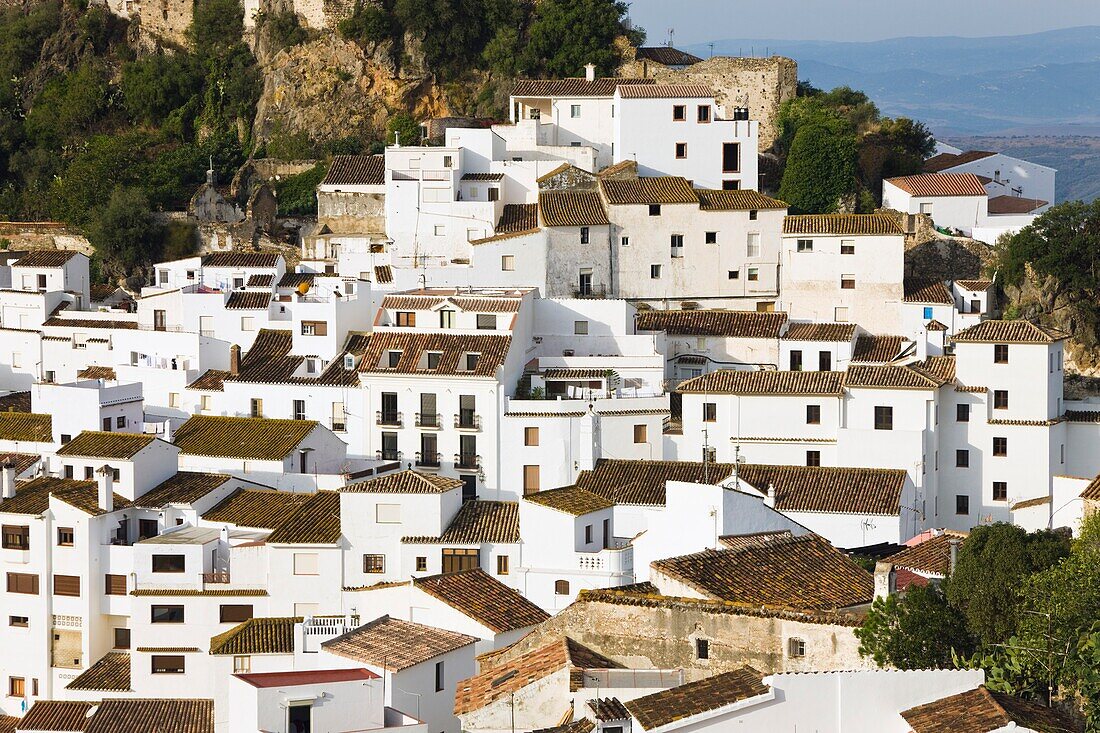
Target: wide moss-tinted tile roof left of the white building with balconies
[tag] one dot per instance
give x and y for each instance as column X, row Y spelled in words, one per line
column 257, row 439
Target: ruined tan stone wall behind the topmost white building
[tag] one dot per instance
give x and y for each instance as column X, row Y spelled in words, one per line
column 760, row 84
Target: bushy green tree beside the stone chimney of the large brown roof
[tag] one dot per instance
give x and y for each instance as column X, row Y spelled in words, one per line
column 916, row 631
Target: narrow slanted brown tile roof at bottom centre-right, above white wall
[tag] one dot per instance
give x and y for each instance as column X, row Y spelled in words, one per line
column 695, row 698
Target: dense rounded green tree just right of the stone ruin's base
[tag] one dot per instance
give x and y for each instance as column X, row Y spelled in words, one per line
column 821, row 169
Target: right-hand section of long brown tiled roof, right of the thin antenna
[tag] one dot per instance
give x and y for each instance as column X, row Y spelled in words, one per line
column 830, row 489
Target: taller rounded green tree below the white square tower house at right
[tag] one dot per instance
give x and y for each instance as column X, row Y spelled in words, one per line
column 994, row 565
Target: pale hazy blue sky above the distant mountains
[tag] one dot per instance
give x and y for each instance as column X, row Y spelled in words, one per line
column 698, row 21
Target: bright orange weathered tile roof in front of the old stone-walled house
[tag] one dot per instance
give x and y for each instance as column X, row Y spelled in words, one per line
column 501, row 682
